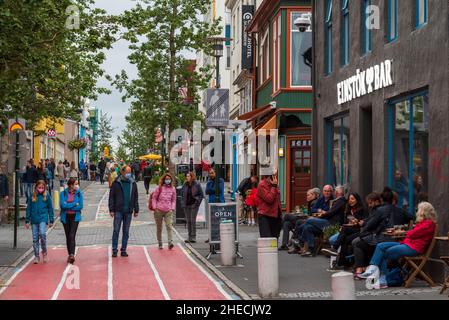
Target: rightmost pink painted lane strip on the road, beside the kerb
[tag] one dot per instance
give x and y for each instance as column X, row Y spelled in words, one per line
column 182, row 279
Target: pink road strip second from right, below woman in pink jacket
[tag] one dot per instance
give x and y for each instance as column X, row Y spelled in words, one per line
column 133, row 278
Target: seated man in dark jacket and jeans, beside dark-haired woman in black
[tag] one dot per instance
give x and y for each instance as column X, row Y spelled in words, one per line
column 321, row 220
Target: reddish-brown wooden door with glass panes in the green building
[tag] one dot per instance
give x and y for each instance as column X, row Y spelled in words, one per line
column 300, row 169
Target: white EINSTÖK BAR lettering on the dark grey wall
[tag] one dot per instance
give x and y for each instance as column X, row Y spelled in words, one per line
column 365, row 82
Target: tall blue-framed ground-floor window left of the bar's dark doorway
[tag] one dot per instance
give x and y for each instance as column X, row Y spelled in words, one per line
column 338, row 142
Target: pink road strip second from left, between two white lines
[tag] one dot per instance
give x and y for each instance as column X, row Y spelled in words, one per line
column 92, row 264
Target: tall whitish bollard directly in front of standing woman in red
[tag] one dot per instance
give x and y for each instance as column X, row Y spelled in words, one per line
column 268, row 268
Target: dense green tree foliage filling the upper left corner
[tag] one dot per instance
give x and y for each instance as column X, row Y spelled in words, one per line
column 49, row 65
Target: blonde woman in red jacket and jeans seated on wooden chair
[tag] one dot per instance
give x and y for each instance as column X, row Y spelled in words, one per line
column 415, row 243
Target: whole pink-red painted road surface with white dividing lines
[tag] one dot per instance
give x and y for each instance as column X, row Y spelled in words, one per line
column 147, row 274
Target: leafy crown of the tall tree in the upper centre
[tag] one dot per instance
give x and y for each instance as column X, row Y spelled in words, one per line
column 168, row 27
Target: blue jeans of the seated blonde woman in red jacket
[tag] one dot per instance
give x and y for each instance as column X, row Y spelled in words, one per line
column 390, row 251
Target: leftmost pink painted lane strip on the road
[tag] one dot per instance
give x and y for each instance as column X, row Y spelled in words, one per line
column 38, row 281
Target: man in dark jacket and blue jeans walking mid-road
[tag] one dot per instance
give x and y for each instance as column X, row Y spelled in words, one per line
column 123, row 202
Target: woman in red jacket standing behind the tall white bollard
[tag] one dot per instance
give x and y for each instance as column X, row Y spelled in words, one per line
column 268, row 202
